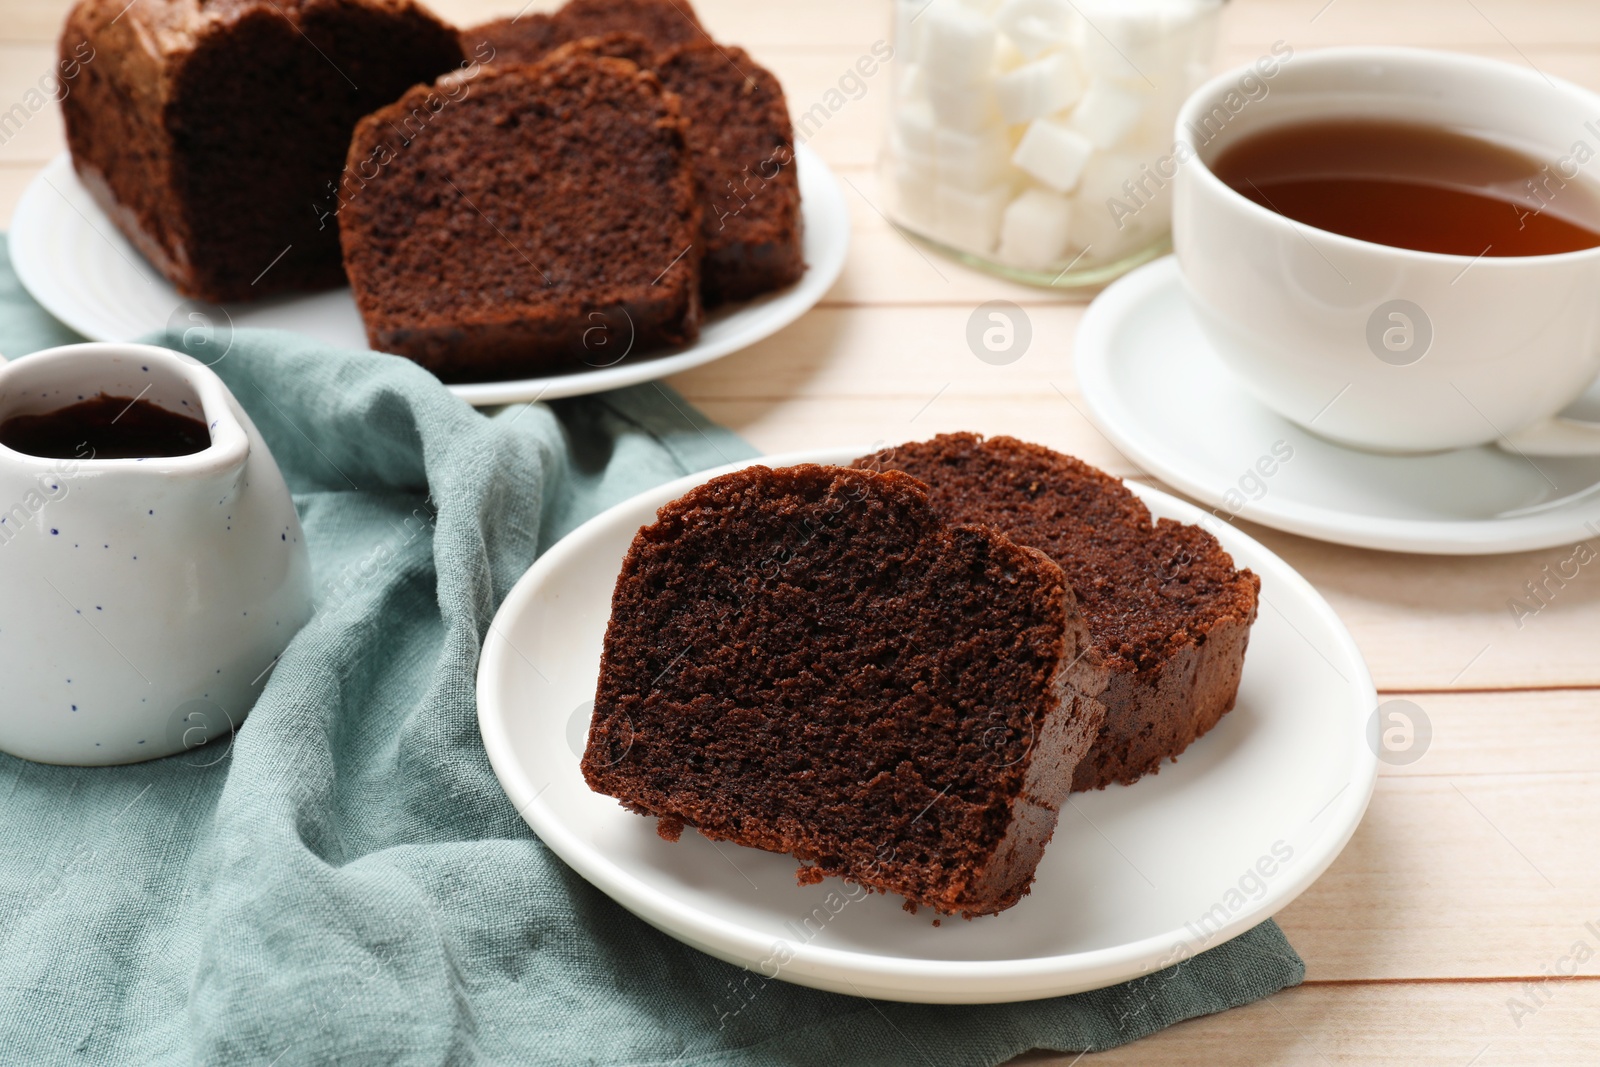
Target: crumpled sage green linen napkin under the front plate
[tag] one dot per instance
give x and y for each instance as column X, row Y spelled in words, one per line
column 346, row 882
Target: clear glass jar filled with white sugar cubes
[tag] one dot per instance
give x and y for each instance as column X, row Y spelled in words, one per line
column 1034, row 138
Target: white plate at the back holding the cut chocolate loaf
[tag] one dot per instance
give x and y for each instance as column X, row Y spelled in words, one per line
column 81, row 270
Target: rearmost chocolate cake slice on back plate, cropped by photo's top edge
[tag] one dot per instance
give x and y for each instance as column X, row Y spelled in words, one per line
column 529, row 38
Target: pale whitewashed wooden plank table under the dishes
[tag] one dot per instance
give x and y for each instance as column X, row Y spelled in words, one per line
column 1479, row 866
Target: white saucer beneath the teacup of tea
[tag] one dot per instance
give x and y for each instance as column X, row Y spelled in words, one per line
column 1161, row 394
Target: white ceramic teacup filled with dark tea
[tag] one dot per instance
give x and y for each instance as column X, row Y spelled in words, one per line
column 1388, row 348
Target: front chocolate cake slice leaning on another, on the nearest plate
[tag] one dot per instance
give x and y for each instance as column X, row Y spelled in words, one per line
column 810, row 661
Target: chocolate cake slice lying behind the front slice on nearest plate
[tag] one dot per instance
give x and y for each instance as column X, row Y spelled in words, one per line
column 1169, row 615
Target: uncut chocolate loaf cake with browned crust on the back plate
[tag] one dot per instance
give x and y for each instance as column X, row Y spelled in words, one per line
column 214, row 132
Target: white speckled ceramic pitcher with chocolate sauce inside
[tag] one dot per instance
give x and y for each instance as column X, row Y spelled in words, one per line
column 145, row 601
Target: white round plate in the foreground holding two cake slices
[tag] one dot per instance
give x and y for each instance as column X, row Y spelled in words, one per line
column 1135, row 879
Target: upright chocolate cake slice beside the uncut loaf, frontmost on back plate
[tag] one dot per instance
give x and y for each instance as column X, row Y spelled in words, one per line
column 535, row 220
